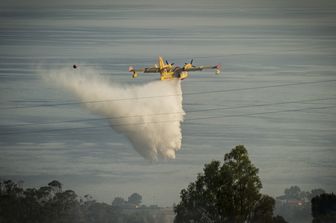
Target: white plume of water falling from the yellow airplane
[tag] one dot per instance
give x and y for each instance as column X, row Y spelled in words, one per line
column 149, row 115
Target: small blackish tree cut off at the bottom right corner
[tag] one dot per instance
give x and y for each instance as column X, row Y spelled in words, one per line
column 324, row 208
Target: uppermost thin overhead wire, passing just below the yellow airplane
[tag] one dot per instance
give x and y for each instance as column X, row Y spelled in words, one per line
column 173, row 95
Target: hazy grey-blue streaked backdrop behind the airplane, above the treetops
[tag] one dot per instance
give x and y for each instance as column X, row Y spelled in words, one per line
column 276, row 94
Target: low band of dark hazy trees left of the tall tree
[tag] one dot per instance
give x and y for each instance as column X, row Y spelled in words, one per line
column 51, row 204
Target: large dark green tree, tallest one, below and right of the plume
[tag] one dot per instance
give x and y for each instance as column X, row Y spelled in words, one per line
column 227, row 193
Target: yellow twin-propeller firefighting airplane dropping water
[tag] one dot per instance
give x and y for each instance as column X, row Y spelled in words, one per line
column 168, row 71
